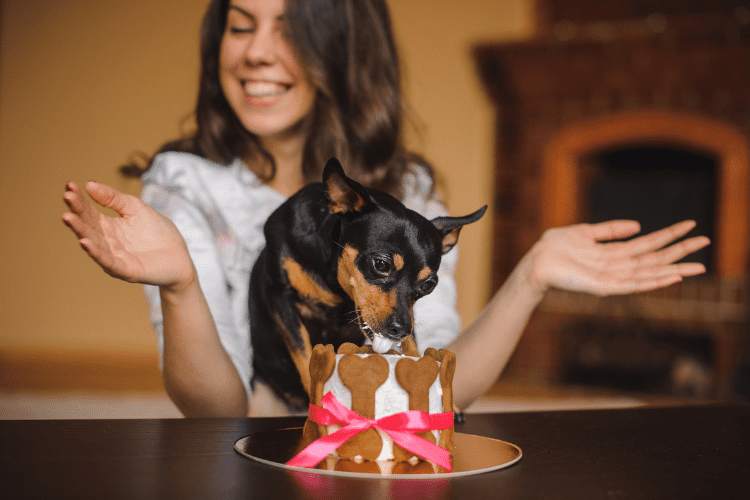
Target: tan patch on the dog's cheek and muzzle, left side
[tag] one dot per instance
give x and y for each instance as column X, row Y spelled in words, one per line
column 373, row 304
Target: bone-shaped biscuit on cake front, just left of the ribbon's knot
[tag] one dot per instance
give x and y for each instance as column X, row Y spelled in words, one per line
column 363, row 376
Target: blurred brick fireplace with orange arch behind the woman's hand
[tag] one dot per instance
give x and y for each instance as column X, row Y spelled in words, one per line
column 628, row 110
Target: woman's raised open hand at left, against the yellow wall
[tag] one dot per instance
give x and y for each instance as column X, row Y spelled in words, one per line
column 140, row 246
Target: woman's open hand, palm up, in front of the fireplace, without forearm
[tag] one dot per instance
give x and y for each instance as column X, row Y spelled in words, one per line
column 583, row 258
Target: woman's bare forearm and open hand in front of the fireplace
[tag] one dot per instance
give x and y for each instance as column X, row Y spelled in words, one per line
column 571, row 258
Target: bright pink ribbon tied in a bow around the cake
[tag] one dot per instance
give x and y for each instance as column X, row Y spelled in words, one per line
column 400, row 426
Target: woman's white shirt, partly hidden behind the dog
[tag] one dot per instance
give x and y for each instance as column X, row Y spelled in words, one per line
column 220, row 211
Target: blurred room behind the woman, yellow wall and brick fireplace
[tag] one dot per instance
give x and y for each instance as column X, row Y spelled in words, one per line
column 552, row 112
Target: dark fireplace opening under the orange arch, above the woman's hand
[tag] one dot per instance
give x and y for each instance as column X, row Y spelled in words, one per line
column 656, row 185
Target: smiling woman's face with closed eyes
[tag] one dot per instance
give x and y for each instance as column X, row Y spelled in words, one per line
column 260, row 75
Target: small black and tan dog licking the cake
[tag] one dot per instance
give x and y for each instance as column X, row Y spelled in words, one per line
column 341, row 263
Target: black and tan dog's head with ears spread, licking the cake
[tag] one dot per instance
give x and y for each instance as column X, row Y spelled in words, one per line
column 390, row 255
